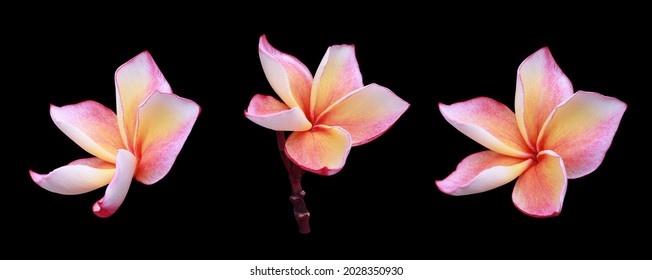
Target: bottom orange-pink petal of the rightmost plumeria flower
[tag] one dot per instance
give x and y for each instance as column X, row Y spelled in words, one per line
column 540, row 190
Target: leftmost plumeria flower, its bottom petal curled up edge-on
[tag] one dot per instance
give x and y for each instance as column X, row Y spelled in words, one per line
column 142, row 141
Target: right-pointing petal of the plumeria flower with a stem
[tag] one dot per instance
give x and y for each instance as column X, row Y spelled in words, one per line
column 365, row 113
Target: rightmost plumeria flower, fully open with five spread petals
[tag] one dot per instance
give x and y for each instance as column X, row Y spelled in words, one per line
column 555, row 135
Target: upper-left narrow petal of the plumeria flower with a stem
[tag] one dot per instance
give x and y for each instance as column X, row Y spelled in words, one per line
column 289, row 78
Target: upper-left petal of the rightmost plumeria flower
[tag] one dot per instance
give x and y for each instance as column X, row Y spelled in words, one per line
column 489, row 123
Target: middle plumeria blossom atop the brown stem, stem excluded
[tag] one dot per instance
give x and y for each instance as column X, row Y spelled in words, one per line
column 329, row 114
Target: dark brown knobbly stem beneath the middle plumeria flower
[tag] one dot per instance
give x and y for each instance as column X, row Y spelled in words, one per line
column 295, row 172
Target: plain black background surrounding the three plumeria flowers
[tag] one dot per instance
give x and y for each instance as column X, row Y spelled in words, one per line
column 226, row 196
